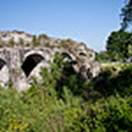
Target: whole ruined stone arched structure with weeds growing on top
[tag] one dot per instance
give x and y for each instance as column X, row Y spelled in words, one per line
column 23, row 55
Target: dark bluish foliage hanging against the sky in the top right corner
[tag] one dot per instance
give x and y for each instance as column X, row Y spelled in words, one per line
column 126, row 15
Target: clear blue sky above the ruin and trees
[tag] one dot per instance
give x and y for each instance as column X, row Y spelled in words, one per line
column 89, row 21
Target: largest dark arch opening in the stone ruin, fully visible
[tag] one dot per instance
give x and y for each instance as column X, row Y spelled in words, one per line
column 31, row 62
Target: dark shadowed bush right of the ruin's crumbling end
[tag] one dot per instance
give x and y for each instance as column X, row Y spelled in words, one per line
column 108, row 83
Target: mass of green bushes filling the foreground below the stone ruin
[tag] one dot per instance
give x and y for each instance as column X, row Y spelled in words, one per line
column 51, row 106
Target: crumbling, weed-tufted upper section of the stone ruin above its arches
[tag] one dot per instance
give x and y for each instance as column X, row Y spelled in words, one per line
column 22, row 39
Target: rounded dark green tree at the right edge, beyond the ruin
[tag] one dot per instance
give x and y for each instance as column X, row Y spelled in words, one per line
column 119, row 45
